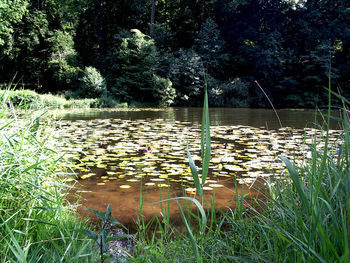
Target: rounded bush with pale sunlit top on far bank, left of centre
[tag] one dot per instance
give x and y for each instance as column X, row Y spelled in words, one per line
column 139, row 60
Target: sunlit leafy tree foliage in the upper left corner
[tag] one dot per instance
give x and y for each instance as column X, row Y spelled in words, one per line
column 41, row 48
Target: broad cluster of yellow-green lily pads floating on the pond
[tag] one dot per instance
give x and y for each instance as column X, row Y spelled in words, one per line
column 153, row 152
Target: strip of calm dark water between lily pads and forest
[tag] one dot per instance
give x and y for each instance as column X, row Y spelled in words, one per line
column 218, row 116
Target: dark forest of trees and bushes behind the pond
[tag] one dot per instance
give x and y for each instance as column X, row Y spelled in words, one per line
column 163, row 52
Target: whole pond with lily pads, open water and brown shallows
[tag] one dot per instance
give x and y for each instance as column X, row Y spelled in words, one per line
column 118, row 154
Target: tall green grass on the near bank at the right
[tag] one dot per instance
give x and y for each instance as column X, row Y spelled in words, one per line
column 306, row 217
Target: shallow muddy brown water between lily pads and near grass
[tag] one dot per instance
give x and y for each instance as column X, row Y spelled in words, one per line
column 125, row 203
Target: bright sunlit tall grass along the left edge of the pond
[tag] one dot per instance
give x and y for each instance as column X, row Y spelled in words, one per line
column 36, row 223
